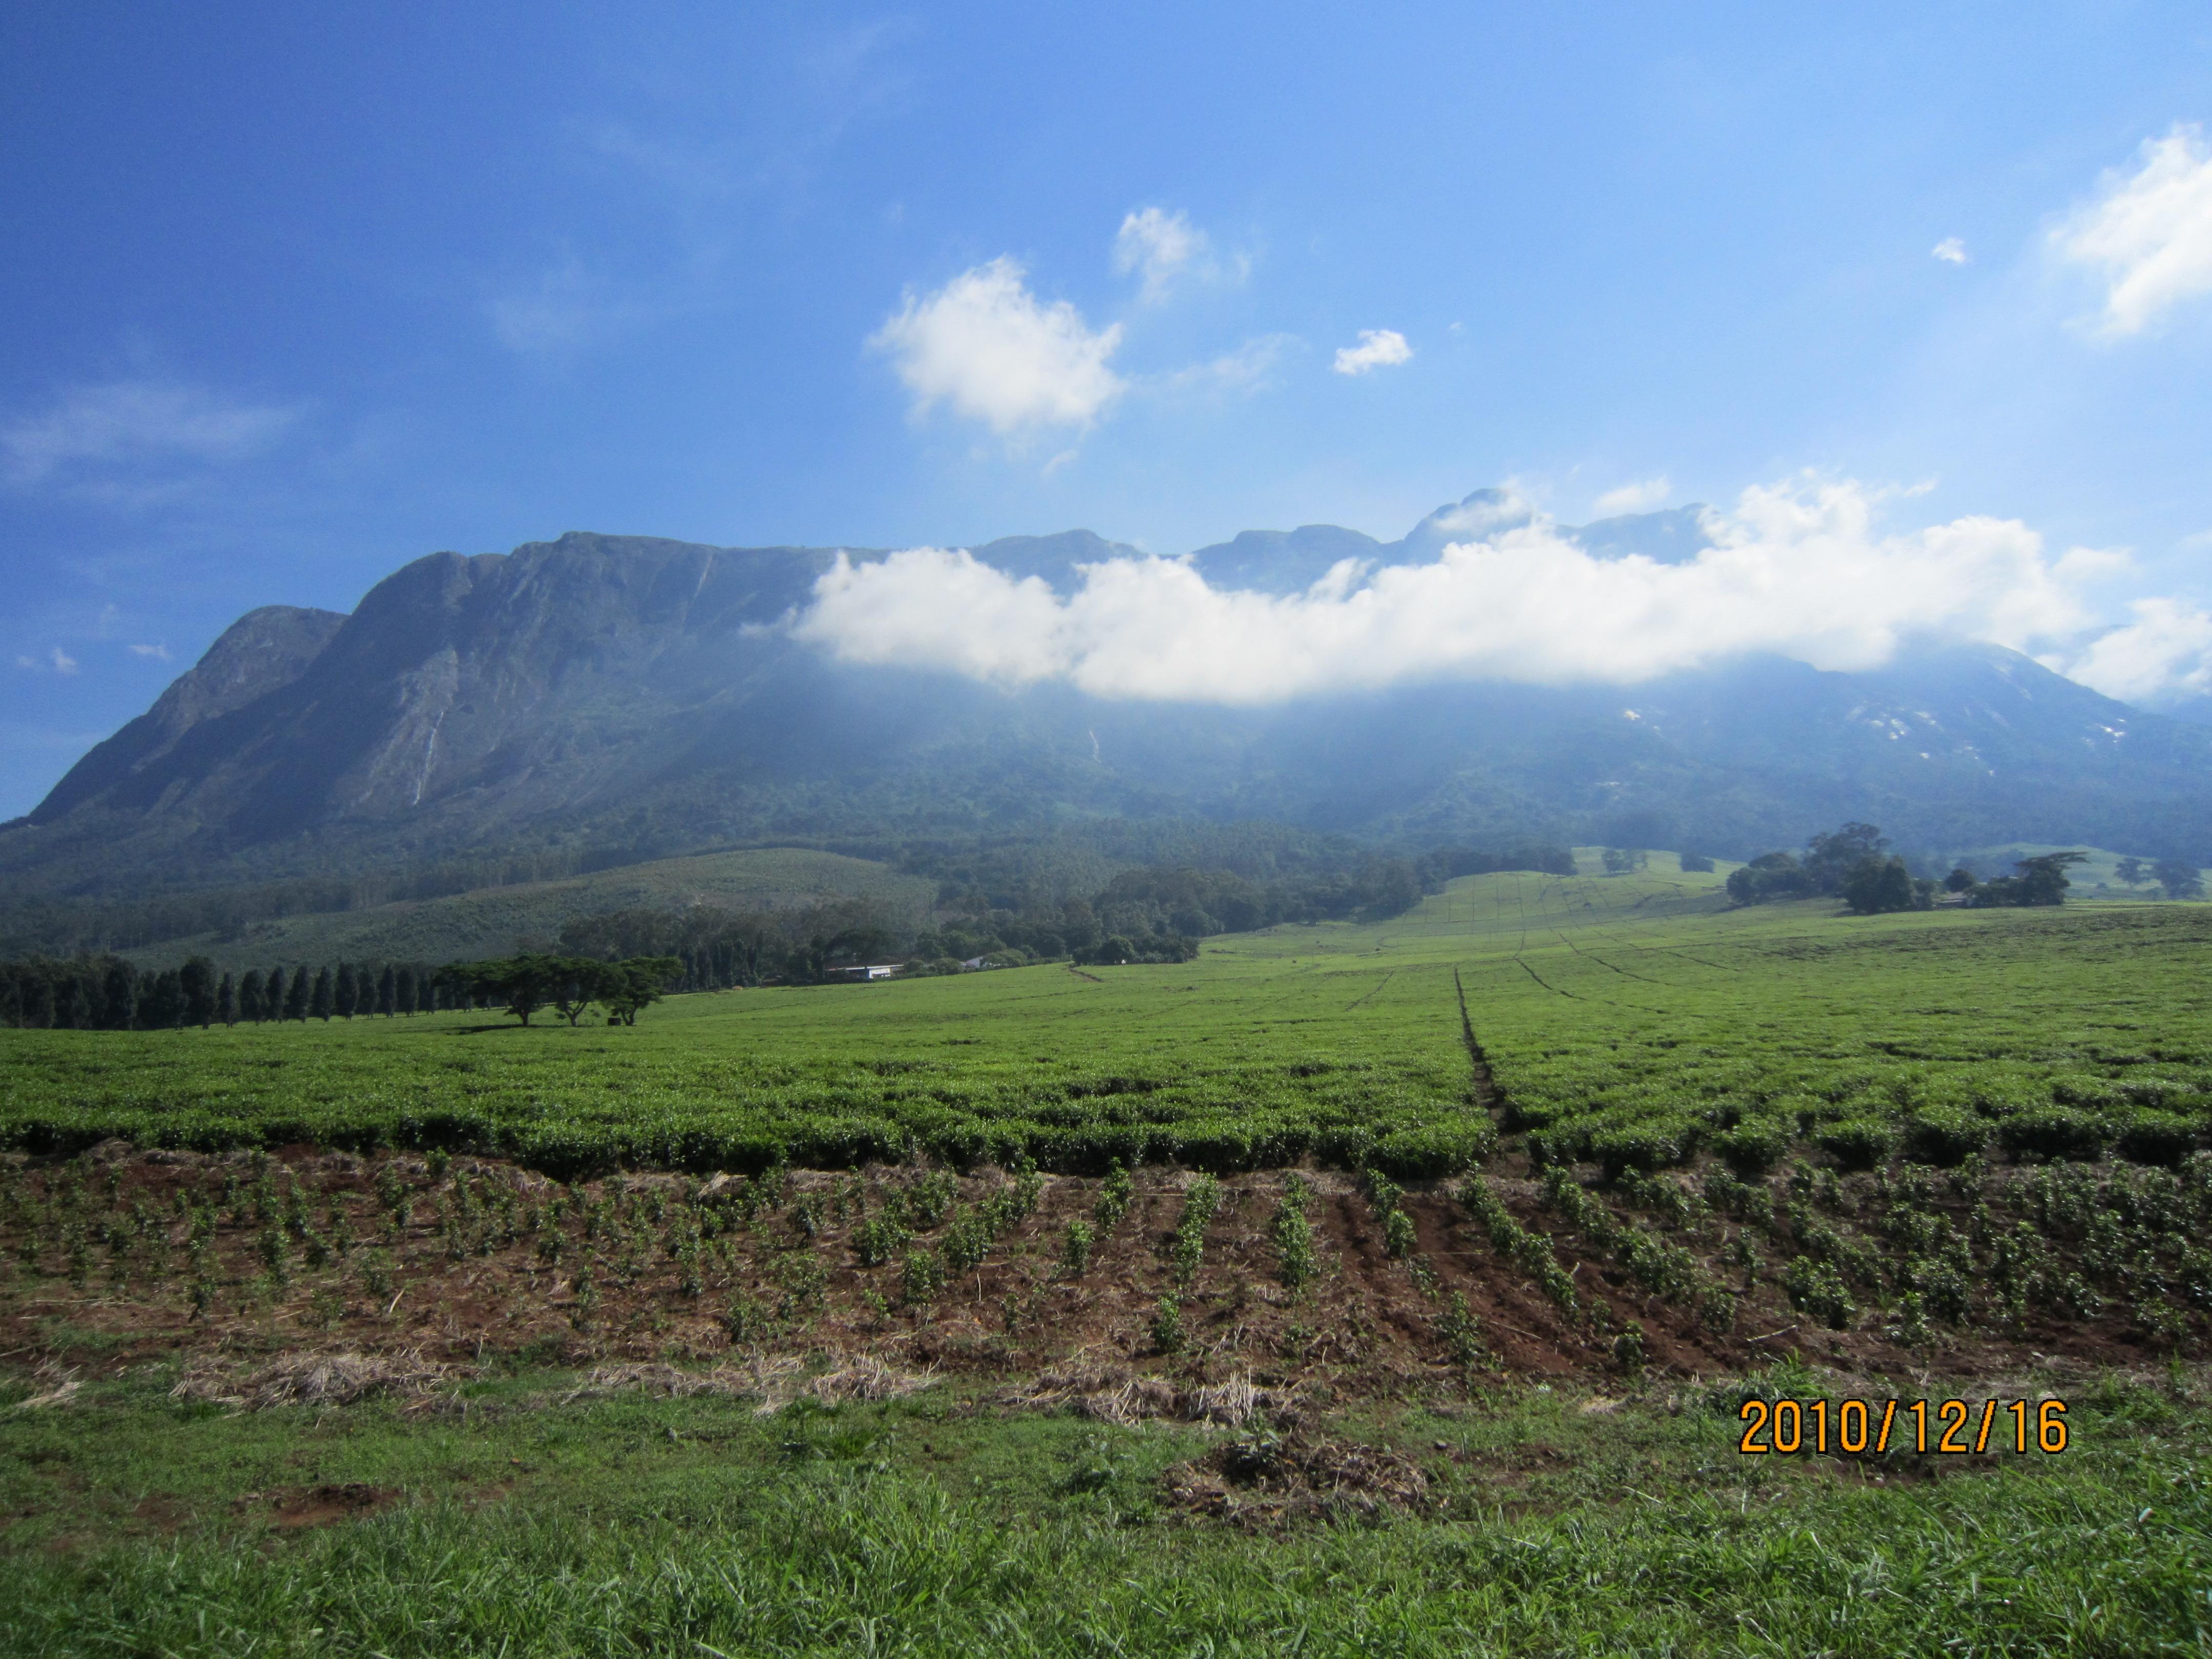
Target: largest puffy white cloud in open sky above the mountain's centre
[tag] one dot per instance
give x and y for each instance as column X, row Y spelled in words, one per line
column 988, row 348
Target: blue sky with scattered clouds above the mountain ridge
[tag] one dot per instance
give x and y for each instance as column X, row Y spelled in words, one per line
column 302, row 293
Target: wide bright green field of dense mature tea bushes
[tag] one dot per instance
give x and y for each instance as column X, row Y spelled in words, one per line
column 1627, row 1021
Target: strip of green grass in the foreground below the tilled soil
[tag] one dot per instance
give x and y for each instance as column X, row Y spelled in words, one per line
column 932, row 1527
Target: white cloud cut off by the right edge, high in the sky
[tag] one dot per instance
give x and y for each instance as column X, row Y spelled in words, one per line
column 2149, row 231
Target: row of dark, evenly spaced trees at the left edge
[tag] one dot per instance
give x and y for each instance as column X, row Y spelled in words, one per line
column 107, row 994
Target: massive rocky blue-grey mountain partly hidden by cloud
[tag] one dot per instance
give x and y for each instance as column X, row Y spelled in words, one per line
column 618, row 698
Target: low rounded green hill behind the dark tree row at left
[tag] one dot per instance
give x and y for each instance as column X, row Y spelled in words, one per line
column 497, row 921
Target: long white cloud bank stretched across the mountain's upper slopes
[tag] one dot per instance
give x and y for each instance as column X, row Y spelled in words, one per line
column 1797, row 570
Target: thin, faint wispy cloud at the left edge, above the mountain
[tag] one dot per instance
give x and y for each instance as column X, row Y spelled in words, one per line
column 132, row 424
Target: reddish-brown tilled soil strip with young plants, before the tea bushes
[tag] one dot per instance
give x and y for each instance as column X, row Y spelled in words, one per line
column 127, row 1255
